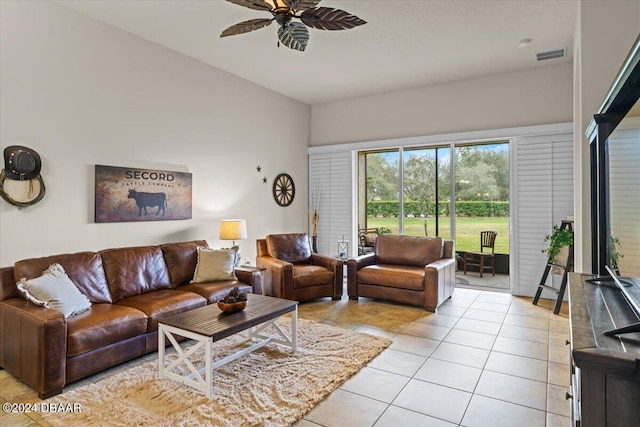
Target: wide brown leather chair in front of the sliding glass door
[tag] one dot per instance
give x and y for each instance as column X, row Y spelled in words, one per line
column 406, row 269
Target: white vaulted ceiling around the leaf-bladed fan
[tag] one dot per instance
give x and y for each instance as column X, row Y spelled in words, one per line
column 405, row 43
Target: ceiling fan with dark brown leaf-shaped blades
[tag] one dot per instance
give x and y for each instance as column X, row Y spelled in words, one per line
column 294, row 35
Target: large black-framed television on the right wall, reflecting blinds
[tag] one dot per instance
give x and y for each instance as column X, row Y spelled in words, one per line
column 614, row 136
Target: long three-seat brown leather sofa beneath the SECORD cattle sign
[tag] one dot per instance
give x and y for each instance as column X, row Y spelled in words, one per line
column 129, row 288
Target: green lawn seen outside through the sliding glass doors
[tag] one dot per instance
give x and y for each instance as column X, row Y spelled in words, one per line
column 468, row 229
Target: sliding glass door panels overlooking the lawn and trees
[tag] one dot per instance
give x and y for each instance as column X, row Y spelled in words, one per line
column 415, row 191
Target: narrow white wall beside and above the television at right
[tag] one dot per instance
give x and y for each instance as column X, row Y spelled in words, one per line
column 605, row 33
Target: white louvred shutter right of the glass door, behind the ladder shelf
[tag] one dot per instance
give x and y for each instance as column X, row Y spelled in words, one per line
column 544, row 196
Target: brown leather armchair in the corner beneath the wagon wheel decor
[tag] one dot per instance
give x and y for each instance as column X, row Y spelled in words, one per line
column 296, row 272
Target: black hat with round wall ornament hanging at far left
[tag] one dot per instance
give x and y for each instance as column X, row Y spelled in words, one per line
column 22, row 167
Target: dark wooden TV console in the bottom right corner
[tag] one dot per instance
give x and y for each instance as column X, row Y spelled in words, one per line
column 605, row 370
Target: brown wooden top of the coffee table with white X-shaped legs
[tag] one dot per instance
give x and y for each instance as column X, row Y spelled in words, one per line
column 210, row 321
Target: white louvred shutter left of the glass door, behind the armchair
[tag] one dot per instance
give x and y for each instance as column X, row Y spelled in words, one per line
column 330, row 178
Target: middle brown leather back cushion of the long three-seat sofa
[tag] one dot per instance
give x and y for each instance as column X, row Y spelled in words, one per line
column 134, row 271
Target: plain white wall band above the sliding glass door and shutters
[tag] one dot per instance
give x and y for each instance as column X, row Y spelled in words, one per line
column 524, row 98
